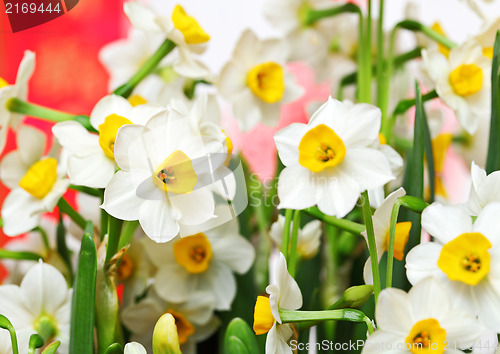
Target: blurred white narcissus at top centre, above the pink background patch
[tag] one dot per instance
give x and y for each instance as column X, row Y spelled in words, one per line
column 256, row 81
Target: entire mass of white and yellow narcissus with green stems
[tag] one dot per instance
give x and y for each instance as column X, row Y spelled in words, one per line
column 365, row 234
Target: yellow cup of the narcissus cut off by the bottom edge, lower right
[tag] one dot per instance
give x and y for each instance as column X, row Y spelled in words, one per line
column 426, row 336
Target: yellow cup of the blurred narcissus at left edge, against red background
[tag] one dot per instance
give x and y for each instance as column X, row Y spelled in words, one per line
column 40, row 178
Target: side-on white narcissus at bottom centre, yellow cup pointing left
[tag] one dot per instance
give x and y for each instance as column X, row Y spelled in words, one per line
column 285, row 294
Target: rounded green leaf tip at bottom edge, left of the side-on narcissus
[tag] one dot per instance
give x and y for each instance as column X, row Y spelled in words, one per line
column 240, row 338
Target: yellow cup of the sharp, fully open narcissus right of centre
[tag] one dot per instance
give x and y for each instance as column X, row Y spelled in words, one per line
column 320, row 148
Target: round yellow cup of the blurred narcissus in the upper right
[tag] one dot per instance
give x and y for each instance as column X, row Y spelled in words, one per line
column 466, row 79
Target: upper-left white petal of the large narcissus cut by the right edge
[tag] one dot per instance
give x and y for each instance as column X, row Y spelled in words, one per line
column 445, row 222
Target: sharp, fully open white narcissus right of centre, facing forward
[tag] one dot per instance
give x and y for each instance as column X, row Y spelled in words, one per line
column 332, row 159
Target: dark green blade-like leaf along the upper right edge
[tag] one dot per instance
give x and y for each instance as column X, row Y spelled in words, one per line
column 493, row 159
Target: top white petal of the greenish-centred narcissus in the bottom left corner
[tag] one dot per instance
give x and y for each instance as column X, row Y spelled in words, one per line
column 44, row 289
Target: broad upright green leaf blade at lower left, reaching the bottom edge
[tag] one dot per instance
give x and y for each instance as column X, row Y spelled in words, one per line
column 82, row 309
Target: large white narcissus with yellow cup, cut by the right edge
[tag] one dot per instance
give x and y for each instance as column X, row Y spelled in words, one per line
column 464, row 257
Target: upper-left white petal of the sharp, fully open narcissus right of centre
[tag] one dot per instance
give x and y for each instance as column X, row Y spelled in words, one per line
column 287, row 142
